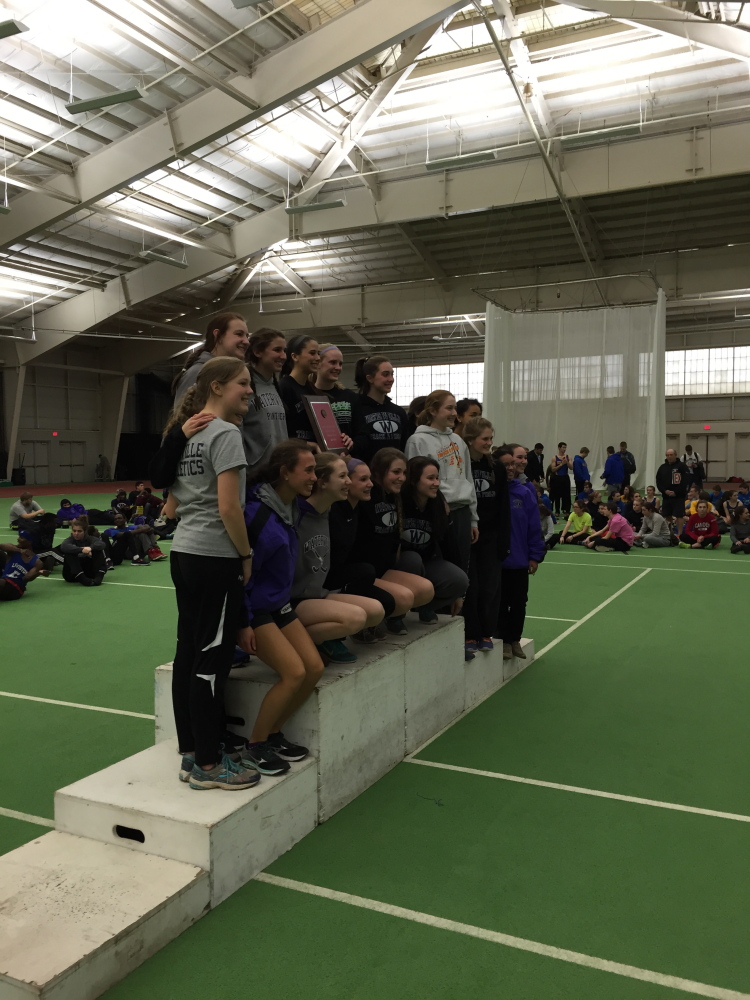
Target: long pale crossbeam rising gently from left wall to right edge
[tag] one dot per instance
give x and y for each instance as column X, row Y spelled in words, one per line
column 636, row 162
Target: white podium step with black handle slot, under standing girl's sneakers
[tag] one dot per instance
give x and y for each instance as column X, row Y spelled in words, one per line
column 139, row 804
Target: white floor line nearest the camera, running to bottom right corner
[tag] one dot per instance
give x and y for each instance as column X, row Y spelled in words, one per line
column 508, row 940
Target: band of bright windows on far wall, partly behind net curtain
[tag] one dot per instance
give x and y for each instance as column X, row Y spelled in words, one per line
column 705, row 372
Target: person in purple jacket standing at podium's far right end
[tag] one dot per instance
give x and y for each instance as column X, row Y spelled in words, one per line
column 526, row 552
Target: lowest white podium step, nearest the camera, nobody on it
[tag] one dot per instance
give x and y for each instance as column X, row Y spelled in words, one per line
column 77, row 916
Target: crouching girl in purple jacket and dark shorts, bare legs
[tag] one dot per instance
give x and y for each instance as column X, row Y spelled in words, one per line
column 273, row 630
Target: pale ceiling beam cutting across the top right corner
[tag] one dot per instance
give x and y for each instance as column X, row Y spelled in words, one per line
column 672, row 21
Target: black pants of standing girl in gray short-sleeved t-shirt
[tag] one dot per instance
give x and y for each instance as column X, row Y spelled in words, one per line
column 209, row 600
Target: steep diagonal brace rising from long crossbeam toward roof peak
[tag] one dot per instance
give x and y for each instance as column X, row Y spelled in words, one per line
column 369, row 111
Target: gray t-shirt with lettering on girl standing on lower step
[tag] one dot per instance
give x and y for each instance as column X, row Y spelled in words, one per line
column 215, row 449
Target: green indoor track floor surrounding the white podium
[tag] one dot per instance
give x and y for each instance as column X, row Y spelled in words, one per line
column 648, row 698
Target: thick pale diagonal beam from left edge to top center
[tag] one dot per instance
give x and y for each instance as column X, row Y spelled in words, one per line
column 345, row 41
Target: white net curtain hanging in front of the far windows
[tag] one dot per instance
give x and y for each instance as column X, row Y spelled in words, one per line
column 591, row 376
